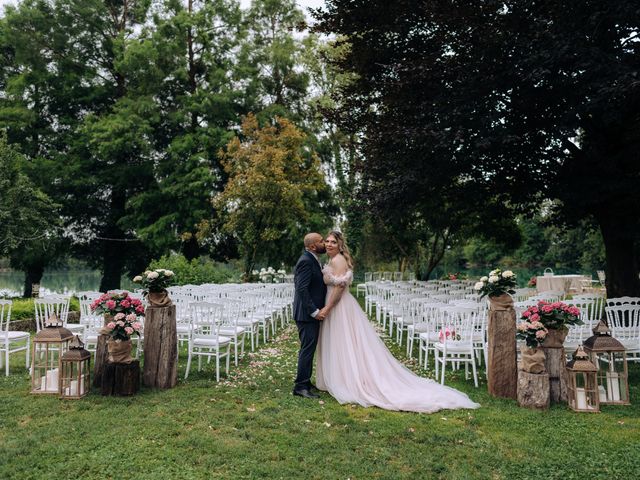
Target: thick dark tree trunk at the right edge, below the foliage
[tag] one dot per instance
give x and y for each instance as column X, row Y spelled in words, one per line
column 622, row 263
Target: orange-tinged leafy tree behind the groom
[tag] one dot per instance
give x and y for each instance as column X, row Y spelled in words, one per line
column 265, row 203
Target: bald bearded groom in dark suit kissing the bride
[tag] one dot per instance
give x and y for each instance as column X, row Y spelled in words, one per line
column 308, row 310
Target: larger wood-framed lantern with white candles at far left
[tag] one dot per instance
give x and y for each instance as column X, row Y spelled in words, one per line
column 49, row 344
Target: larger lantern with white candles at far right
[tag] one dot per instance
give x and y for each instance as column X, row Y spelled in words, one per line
column 610, row 358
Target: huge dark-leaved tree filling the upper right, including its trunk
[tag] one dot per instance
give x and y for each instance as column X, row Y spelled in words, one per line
column 527, row 100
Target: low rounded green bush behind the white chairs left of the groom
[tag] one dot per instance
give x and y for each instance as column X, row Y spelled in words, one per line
column 197, row 271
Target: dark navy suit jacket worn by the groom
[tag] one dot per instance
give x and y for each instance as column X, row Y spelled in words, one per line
column 310, row 290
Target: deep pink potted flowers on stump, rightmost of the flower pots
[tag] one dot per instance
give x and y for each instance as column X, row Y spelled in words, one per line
column 555, row 317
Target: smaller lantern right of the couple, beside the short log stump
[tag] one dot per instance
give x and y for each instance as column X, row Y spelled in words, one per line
column 582, row 385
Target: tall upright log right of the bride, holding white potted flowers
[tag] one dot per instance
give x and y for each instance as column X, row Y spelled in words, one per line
column 502, row 370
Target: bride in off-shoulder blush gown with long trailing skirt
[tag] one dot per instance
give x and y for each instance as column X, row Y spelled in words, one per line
column 354, row 365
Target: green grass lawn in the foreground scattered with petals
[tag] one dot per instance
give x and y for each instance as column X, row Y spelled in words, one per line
column 250, row 426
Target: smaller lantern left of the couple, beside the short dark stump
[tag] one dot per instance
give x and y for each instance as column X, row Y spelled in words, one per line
column 75, row 368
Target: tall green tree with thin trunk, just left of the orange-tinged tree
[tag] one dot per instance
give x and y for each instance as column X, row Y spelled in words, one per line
column 200, row 99
